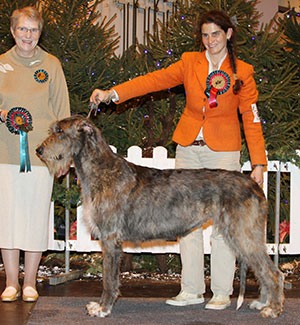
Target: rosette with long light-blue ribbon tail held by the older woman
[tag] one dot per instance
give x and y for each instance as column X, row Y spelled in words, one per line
column 19, row 121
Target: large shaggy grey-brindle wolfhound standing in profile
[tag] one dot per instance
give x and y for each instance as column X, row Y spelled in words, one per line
column 126, row 202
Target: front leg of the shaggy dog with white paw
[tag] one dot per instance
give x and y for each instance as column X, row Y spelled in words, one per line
column 111, row 263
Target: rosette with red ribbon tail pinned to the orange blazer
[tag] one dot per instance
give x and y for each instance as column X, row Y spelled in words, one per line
column 217, row 82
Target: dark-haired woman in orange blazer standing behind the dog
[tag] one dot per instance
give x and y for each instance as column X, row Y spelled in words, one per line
column 217, row 85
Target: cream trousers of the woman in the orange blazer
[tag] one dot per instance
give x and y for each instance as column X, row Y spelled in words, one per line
column 191, row 246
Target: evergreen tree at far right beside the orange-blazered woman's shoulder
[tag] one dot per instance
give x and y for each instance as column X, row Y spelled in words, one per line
column 278, row 84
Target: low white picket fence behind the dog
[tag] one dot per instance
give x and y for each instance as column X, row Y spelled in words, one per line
column 84, row 243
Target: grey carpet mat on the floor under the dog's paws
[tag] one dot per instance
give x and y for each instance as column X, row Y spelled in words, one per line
column 71, row 310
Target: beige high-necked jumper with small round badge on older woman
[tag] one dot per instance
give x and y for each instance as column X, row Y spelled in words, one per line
column 44, row 95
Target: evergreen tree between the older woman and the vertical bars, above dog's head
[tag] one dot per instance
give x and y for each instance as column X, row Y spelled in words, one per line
column 84, row 41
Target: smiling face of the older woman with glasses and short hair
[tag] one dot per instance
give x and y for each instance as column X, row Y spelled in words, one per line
column 26, row 34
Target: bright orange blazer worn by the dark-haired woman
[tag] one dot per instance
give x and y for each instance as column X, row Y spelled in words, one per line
column 221, row 127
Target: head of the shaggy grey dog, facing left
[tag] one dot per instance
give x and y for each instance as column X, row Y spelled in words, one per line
column 66, row 139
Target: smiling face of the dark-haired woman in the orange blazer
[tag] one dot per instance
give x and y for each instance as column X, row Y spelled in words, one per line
column 215, row 39
